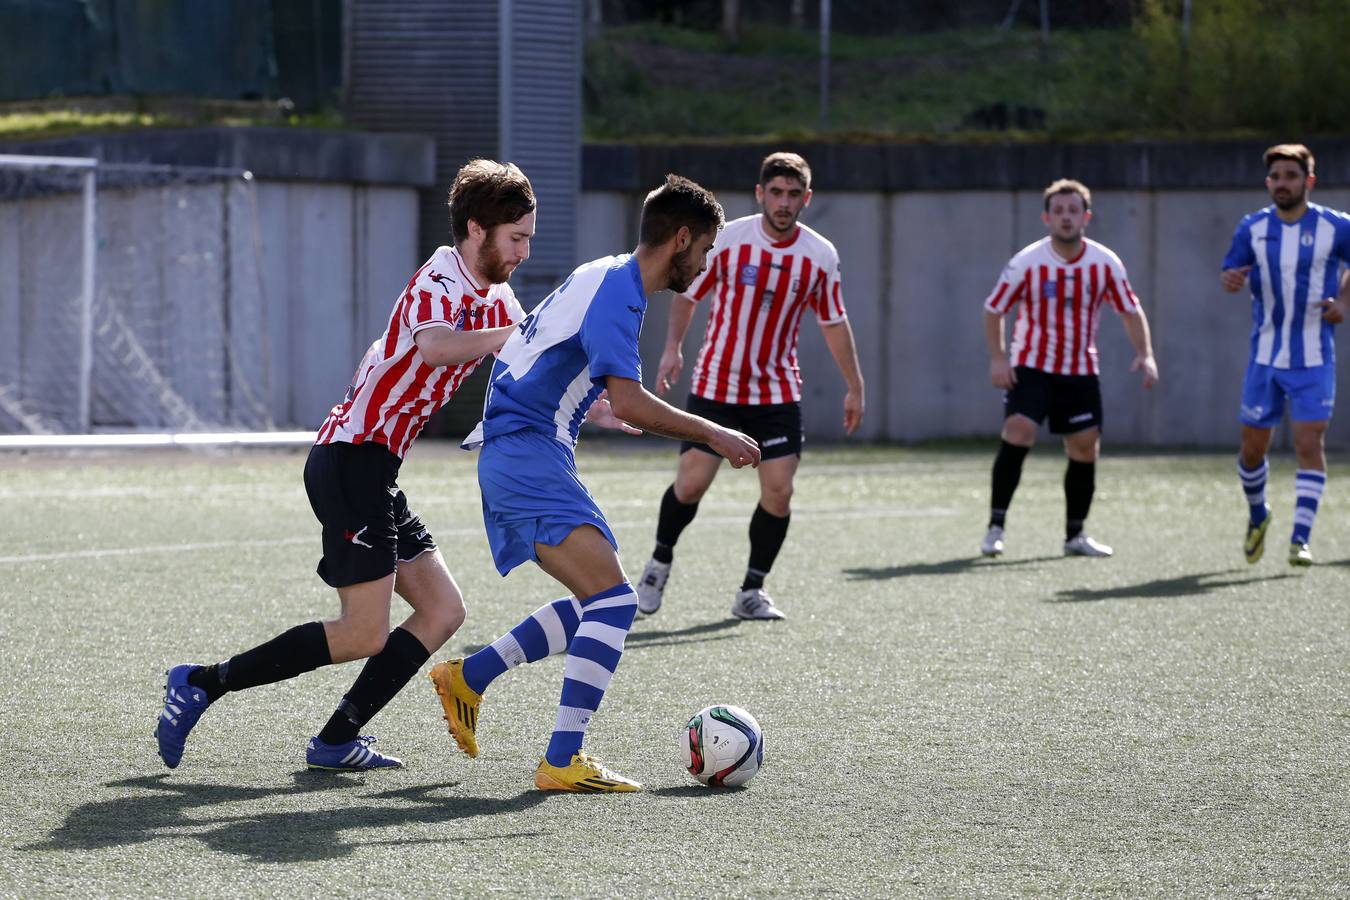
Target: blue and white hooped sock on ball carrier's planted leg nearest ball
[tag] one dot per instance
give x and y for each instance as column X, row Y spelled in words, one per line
column 592, row 660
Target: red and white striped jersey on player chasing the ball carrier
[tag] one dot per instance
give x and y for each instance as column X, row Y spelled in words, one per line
column 395, row 392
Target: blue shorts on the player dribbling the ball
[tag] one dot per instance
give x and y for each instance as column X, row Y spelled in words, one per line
column 533, row 496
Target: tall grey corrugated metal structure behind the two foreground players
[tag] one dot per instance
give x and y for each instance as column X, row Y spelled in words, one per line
column 496, row 79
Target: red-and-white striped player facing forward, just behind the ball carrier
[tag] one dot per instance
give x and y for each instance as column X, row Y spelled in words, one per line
column 766, row 273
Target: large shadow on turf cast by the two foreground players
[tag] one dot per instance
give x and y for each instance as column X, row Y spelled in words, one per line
column 163, row 806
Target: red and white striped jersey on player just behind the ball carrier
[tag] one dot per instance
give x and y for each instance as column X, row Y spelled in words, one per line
column 761, row 291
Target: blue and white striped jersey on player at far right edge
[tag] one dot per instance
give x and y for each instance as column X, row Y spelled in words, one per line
column 1295, row 268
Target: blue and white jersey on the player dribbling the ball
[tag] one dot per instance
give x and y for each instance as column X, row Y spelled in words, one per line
column 554, row 365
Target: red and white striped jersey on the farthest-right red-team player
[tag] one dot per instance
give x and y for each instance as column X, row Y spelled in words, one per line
column 1059, row 306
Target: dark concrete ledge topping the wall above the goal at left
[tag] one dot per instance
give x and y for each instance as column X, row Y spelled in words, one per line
column 277, row 154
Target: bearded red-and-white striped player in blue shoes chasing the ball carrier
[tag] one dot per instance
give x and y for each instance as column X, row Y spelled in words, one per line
column 454, row 312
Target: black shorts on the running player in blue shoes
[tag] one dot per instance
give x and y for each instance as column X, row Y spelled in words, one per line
column 368, row 526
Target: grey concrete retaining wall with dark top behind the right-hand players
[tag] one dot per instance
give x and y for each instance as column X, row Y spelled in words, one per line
column 920, row 262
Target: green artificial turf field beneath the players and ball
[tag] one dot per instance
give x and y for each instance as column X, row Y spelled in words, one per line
column 1170, row 723
